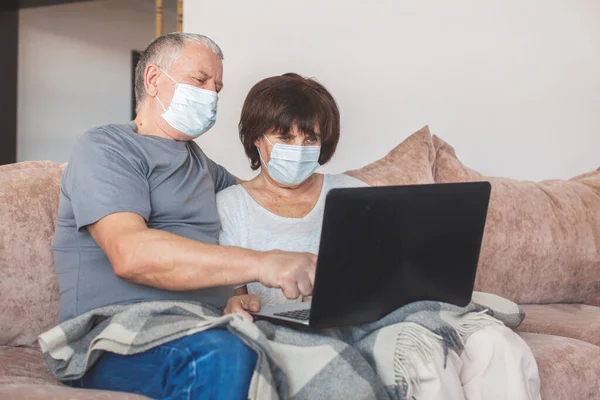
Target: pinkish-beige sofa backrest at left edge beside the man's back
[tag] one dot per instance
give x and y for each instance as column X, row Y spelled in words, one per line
column 28, row 287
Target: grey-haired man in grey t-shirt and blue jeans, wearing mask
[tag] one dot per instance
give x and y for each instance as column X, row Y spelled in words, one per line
column 138, row 222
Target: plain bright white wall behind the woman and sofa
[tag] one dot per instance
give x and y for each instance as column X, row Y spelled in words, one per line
column 513, row 85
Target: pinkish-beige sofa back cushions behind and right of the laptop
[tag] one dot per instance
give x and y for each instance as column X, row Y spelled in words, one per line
column 542, row 240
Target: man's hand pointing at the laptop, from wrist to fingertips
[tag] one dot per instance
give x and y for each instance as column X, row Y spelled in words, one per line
column 294, row 273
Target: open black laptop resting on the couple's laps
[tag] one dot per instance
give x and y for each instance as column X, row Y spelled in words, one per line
column 384, row 247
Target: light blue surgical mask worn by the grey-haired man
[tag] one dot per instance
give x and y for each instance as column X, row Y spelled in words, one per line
column 192, row 111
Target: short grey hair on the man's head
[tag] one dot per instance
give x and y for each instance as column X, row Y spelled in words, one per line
column 164, row 51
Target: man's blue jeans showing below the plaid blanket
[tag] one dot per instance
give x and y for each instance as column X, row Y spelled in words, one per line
column 213, row 364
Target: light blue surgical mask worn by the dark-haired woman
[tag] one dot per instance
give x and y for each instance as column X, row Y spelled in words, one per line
column 292, row 165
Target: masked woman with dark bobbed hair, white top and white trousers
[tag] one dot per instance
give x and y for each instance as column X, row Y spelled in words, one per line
column 289, row 127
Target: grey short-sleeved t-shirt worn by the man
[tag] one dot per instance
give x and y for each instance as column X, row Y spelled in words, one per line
column 171, row 184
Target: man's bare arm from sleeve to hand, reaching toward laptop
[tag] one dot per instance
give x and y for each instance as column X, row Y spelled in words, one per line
column 167, row 261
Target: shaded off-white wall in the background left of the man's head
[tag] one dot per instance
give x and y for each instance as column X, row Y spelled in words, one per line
column 75, row 70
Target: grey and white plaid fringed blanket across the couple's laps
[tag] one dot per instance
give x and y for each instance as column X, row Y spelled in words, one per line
column 372, row 361
